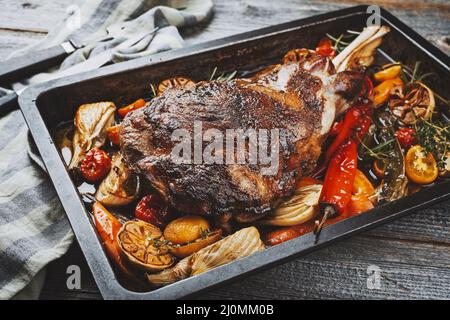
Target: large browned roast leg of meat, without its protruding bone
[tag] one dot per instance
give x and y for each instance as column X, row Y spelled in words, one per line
column 260, row 103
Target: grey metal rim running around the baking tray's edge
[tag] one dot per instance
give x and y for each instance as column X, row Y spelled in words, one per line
column 104, row 276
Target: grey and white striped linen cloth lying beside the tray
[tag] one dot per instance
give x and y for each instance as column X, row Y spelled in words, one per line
column 33, row 226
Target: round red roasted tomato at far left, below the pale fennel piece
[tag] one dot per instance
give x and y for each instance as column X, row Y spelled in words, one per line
column 96, row 165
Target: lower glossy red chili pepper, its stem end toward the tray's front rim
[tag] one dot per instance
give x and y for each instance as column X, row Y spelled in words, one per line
column 340, row 176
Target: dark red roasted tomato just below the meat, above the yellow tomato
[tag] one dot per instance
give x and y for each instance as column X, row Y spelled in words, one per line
column 153, row 209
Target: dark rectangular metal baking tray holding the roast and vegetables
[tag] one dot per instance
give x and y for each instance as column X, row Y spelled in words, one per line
column 46, row 105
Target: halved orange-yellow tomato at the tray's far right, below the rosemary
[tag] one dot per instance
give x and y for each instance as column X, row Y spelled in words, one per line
column 420, row 166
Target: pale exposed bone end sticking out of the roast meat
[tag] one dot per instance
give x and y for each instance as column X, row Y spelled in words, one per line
column 361, row 51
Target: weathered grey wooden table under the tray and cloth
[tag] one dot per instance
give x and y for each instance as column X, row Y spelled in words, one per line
column 413, row 253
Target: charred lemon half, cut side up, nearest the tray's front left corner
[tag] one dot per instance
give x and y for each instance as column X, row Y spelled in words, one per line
column 144, row 246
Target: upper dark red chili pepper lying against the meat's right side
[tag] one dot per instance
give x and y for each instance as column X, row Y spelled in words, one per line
column 356, row 124
